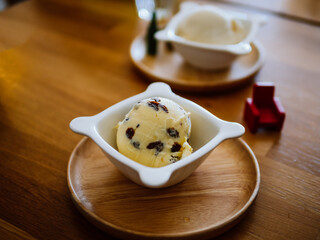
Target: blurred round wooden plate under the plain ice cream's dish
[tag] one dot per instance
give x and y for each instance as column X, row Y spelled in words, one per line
column 168, row 66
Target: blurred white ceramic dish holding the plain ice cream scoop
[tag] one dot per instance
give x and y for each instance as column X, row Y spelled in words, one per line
column 205, row 55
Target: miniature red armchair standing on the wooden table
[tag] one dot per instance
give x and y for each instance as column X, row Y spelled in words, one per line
column 263, row 109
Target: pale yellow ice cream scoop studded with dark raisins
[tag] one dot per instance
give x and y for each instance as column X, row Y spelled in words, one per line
column 155, row 132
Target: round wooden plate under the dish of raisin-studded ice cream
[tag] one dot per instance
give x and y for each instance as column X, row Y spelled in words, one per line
column 204, row 205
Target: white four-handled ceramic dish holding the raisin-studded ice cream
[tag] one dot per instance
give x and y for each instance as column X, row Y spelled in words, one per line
column 207, row 132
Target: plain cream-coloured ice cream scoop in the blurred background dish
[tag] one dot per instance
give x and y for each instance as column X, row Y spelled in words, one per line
column 211, row 25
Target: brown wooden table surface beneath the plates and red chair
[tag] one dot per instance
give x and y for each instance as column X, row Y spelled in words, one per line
column 63, row 59
